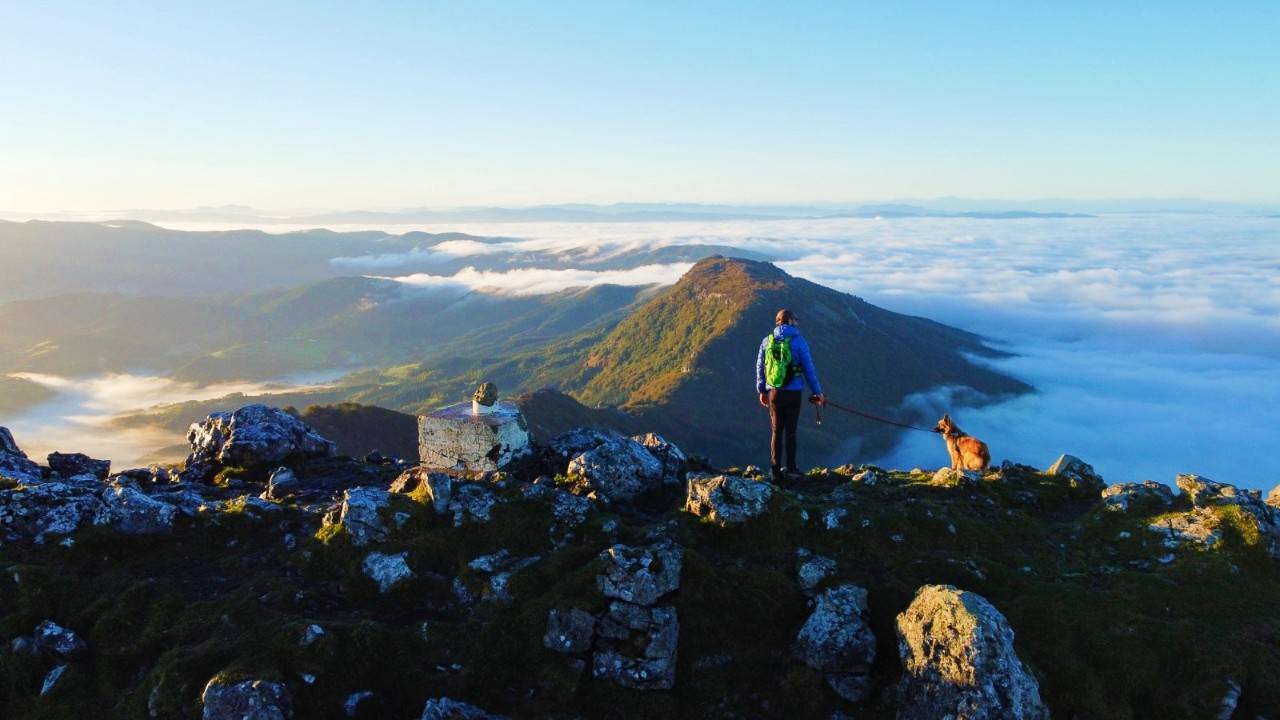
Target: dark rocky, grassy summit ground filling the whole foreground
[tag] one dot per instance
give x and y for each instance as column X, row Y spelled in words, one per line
column 615, row 576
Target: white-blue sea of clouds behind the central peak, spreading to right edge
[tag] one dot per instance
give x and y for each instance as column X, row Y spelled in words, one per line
column 1154, row 341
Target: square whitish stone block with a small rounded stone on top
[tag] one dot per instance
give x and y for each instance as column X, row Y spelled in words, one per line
column 458, row 439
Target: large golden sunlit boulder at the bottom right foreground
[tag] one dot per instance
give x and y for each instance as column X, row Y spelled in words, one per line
column 959, row 662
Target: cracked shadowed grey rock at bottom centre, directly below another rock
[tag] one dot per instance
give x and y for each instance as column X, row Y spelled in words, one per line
column 627, row 628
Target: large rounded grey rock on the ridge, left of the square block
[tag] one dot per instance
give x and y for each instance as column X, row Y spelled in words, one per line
column 255, row 436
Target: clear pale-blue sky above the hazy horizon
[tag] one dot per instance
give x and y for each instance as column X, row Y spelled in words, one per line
column 362, row 106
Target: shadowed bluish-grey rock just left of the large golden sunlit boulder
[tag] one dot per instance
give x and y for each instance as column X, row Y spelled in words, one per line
column 838, row 642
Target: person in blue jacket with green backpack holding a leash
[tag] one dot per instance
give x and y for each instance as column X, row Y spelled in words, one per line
column 783, row 361
